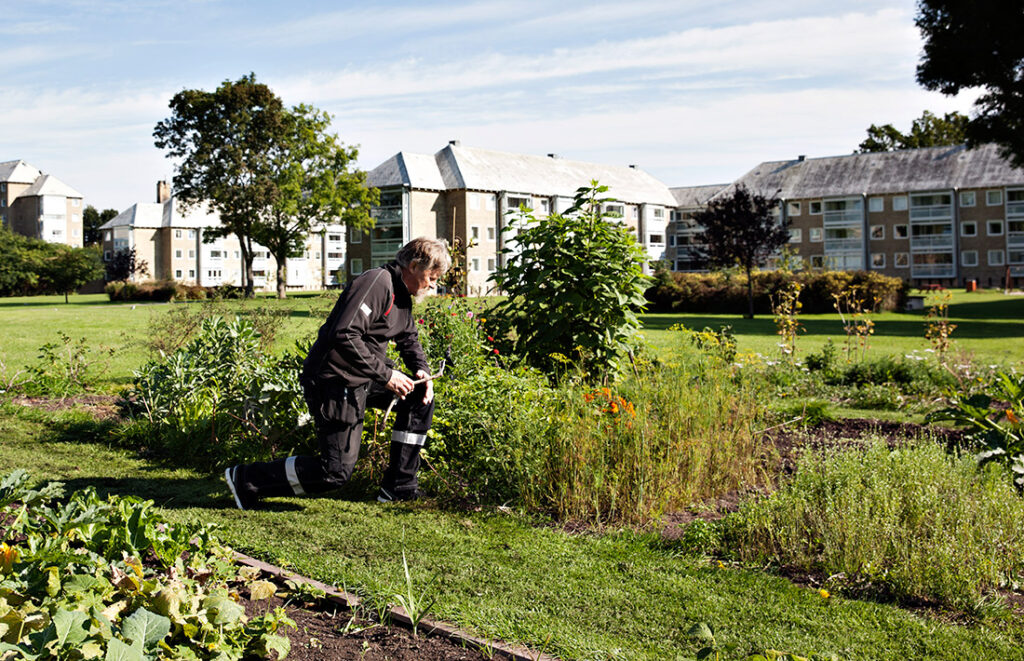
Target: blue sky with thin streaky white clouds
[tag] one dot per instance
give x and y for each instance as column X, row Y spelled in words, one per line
column 692, row 92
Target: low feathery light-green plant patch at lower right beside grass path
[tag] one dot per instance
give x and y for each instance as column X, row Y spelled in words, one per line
column 913, row 523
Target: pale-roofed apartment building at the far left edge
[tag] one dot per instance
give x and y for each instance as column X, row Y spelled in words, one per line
column 39, row 205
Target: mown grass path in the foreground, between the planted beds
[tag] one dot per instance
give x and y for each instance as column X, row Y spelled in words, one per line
column 619, row 595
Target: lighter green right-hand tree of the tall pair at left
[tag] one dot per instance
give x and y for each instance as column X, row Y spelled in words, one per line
column 315, row 186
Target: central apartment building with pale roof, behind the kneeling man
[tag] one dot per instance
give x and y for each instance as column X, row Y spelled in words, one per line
column 475, row 195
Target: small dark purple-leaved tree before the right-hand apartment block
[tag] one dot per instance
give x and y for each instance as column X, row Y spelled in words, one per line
column 742, row 230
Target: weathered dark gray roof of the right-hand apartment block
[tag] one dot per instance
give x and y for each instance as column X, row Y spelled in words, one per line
column 909, row 170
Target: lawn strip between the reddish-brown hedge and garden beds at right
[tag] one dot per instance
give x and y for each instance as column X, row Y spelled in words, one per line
column 990, row 327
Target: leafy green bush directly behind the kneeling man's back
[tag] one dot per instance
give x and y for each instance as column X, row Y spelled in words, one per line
column 221, row 399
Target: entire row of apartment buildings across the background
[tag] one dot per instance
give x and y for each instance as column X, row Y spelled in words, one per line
column 940, row 215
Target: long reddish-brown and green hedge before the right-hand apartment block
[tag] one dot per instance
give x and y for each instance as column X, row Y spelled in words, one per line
column 726, row 293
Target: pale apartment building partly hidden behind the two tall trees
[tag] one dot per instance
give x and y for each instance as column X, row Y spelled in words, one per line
column 172, row 241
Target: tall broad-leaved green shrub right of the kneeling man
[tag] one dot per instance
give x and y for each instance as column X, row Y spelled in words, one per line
column 575, row 283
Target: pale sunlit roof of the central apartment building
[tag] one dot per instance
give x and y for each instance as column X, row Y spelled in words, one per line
column 457, row 167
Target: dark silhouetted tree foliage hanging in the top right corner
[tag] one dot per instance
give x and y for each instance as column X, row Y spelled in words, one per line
column 971, row 45
